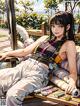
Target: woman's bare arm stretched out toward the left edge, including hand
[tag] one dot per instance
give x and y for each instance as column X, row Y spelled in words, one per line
column 23, row 52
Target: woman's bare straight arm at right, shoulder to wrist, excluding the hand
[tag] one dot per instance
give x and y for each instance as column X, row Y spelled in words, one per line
column 71, row 55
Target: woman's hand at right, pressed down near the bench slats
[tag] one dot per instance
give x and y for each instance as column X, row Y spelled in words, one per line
column 71, row 86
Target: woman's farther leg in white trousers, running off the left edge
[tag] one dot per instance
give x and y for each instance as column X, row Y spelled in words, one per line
column 8, row 77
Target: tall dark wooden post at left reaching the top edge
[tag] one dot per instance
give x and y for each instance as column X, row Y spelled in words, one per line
column 13, row 25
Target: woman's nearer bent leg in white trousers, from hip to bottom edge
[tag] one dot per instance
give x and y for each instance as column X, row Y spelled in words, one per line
column 33, row 78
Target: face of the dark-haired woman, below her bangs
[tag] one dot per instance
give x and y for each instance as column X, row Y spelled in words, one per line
column 58, row 31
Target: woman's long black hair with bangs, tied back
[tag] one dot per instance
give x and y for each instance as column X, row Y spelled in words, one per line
column 64, row 19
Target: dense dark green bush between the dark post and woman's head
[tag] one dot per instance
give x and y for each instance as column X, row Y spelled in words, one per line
column 31, row 21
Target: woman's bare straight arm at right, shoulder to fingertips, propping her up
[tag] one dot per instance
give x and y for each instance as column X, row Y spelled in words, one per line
column 71, row 56
